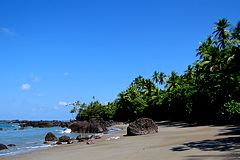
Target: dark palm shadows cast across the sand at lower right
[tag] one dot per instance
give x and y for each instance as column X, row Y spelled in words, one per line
column 231, row 143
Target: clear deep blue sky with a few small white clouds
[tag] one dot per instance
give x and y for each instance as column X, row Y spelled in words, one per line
column 54, row 52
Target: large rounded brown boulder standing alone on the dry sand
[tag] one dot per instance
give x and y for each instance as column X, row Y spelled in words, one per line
column 142, row 126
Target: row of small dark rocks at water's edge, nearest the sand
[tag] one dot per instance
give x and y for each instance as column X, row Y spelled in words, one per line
column 50, row 138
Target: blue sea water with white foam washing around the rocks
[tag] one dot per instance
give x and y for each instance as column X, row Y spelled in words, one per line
column 27, row 139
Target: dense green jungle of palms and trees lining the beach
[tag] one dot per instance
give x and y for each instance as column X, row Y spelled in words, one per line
column 208, row 91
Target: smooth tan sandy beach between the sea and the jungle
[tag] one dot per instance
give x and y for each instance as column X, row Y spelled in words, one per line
column 172, row 142
